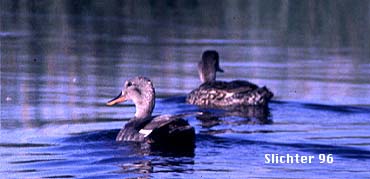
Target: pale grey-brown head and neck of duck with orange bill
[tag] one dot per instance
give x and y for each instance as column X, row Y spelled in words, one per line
column 141, row 91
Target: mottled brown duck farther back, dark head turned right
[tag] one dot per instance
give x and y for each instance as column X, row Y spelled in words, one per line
column 222, row 94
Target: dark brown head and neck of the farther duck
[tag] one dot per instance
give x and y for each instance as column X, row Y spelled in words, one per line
column 208, row 66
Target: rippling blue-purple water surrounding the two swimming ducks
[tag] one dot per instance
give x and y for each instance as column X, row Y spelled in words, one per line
column 62, row 60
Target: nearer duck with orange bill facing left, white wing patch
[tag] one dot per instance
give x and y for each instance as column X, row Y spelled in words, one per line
column 144, row 127
